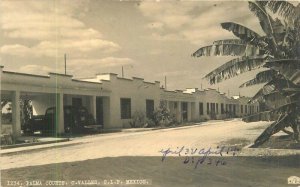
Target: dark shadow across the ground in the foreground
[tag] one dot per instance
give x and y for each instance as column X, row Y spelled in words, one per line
column 235, row 171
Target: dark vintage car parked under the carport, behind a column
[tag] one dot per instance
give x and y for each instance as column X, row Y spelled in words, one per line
column 75, row 119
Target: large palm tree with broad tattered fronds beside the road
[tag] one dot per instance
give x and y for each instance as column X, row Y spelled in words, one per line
column 278, row 51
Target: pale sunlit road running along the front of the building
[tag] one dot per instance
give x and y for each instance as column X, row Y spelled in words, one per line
column 147, row 143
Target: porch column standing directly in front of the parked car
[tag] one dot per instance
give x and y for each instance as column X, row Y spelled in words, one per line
column 60, row 126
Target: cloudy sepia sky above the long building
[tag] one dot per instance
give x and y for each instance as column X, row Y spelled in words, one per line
column 150, row 39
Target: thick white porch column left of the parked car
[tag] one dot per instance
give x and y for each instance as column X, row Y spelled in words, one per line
column 16, row 121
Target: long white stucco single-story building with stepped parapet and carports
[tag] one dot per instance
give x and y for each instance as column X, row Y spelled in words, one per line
column 110, row 99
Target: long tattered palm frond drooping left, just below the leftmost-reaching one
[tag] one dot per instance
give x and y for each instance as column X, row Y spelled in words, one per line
column 235, row 67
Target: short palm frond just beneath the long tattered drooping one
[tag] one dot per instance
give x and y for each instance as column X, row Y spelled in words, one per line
column 261, row 77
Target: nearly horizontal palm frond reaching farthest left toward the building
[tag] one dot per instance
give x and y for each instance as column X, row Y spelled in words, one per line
column 229, row 47
